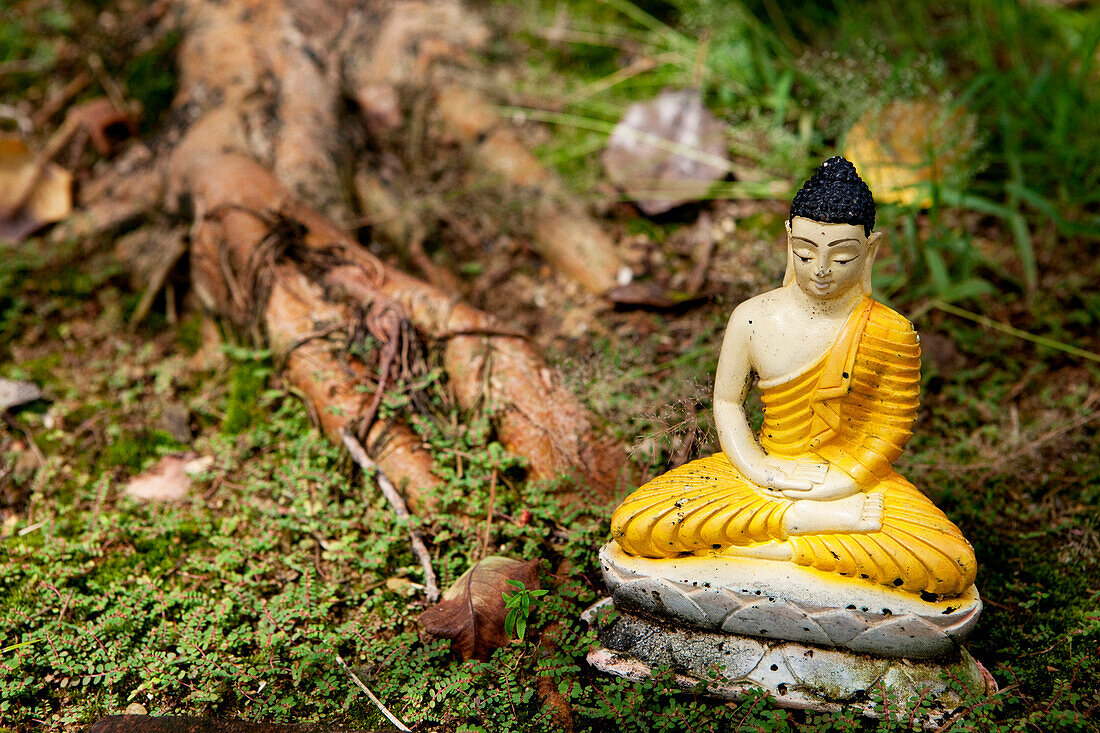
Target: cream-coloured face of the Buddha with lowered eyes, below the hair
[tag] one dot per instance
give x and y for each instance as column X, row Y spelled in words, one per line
column 829, row 260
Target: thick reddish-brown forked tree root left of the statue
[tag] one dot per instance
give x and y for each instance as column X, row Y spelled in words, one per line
column 252, row 163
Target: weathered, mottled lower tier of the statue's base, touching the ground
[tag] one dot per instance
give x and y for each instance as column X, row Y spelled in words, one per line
column 798, row 676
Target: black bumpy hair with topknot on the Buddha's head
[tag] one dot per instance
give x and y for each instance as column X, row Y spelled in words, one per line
column 835, row 194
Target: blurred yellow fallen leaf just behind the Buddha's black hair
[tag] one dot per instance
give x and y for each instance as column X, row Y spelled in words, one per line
column 905, row 145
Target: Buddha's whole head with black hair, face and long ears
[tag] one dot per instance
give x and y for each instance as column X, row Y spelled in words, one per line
column 830, row 244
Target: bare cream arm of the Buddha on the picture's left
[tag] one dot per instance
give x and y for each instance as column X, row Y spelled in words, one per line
column 735, row 434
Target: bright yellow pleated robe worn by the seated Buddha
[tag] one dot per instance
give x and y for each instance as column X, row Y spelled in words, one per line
column 853, row 409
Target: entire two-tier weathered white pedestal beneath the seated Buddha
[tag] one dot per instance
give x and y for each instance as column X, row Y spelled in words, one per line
column 810, row 640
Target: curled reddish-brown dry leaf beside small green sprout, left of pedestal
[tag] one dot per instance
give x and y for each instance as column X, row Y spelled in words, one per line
column 472, row 611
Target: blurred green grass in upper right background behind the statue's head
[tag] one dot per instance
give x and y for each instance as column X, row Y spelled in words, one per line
column 791, row 84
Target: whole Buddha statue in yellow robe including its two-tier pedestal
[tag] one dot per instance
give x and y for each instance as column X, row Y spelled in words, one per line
column 798, row 561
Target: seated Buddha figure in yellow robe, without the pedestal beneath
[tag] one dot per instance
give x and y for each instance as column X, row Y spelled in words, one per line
column 840, row 376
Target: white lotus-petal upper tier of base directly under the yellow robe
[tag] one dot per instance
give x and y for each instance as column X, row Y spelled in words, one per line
column 785, row 601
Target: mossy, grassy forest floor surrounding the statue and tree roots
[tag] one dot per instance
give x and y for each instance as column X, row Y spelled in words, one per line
column 233, row 601
